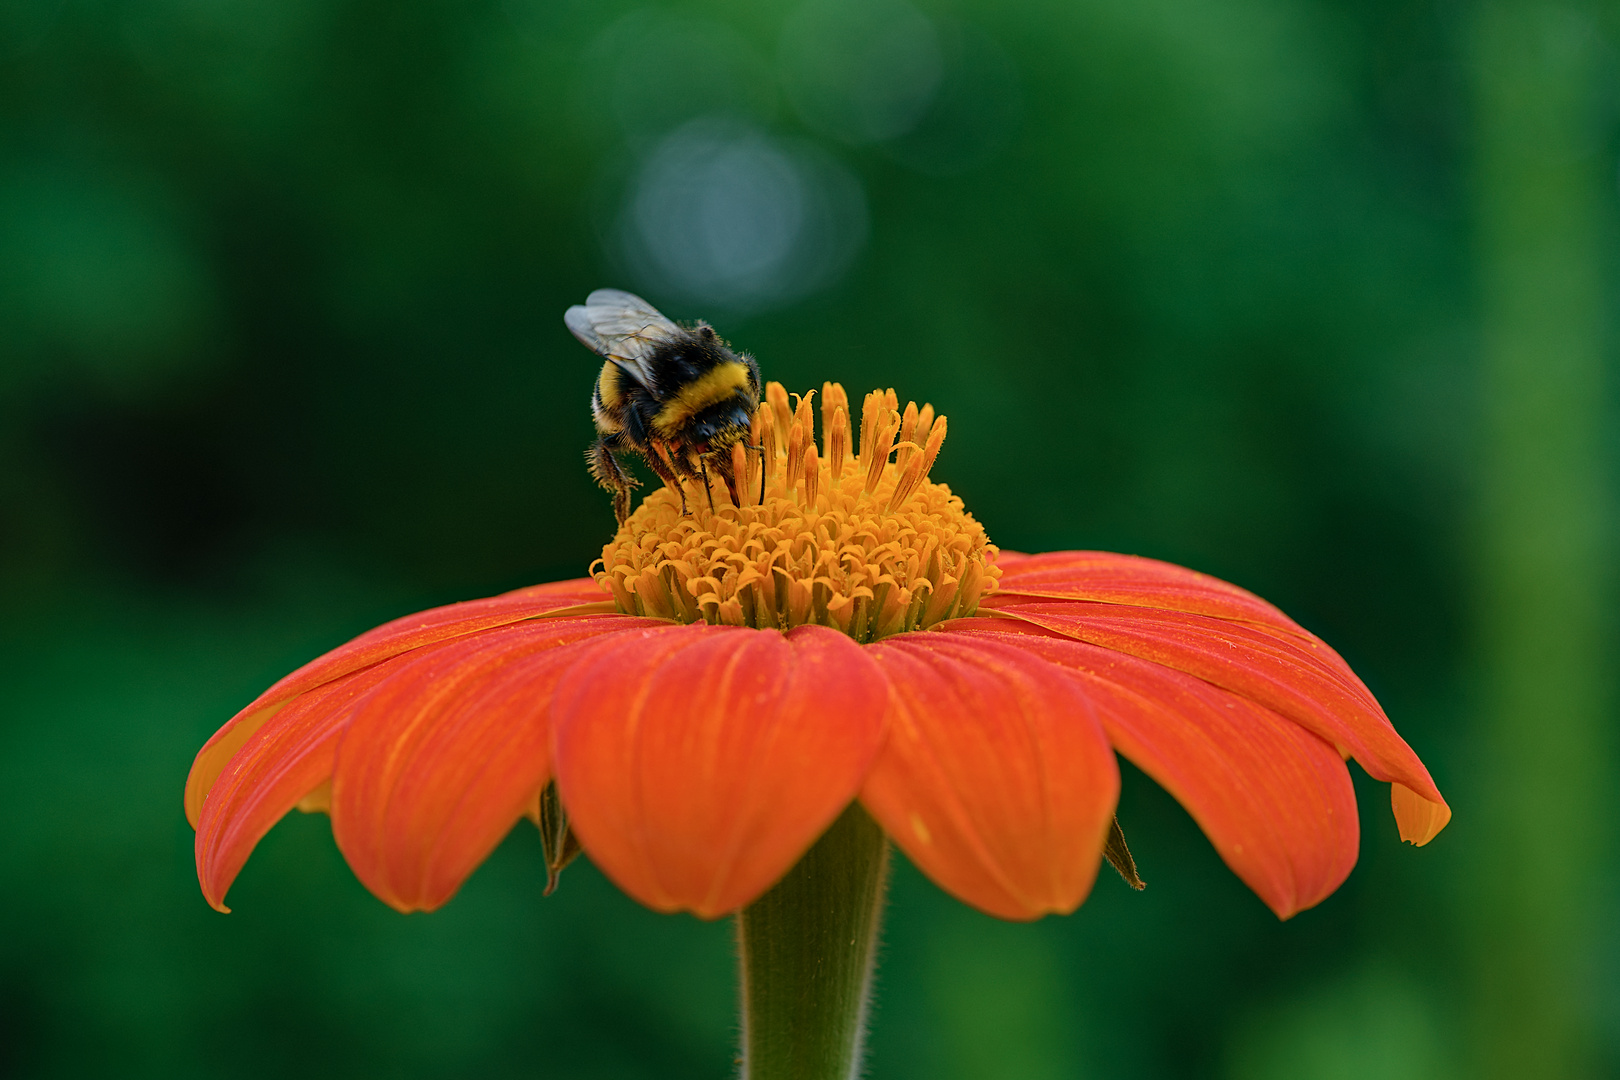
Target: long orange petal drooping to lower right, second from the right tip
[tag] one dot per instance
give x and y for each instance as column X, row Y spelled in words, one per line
column 1274, row 799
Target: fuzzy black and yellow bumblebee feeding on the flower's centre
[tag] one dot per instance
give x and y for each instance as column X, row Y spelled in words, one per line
column 678, row 398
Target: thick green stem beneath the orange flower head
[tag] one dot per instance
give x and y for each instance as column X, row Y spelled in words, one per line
column 808, row 951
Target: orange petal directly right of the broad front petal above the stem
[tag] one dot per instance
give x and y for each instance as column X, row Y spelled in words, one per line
column 997, row 778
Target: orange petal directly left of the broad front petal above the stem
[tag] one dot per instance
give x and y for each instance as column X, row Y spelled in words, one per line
column 448, row 752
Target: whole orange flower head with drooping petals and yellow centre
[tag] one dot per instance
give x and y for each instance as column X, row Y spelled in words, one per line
column 736, row 676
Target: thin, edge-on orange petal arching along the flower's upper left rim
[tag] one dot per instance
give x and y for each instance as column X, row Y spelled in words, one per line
column 391, row 639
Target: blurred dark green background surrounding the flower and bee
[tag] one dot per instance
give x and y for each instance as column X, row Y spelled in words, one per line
column 1315, row 296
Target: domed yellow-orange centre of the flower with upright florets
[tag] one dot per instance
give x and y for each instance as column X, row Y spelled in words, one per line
column 848, row 537
